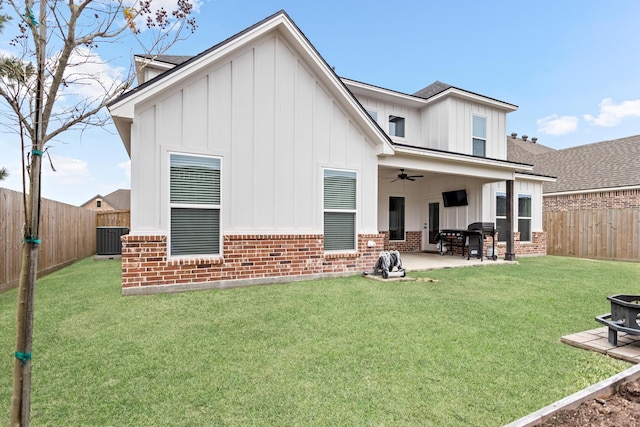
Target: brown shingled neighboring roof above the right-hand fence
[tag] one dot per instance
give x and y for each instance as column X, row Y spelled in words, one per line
column 601, row 165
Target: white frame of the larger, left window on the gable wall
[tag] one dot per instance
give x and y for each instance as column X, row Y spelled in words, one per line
column 193, row 206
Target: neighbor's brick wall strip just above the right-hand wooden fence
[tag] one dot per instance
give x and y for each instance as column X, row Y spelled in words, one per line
column 616, row 199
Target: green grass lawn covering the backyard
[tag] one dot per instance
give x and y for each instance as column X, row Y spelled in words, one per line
column 479, row 347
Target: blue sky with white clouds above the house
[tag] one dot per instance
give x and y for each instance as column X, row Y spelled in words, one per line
column 570, row 67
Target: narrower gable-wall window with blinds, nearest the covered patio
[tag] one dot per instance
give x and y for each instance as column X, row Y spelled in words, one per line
column 339, row 210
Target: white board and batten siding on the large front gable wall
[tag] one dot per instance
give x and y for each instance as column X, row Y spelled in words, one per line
column 273, row 123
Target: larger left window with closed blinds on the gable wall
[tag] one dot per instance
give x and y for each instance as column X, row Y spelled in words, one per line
column 194, row 199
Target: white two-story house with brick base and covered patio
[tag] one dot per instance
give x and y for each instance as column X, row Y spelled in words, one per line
column 254, row 161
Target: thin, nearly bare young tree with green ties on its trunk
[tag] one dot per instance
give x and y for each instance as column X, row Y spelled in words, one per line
column 54, row 83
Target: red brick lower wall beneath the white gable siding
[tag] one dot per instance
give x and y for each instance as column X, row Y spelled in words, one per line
column 247, row 259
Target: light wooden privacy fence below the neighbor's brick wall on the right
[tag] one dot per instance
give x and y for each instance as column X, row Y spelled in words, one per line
column 594, row 233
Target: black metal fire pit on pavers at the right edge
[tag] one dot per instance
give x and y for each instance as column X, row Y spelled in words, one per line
column 625, row 310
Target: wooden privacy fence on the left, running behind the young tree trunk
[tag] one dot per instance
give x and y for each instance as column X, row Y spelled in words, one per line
column 68, row 233
